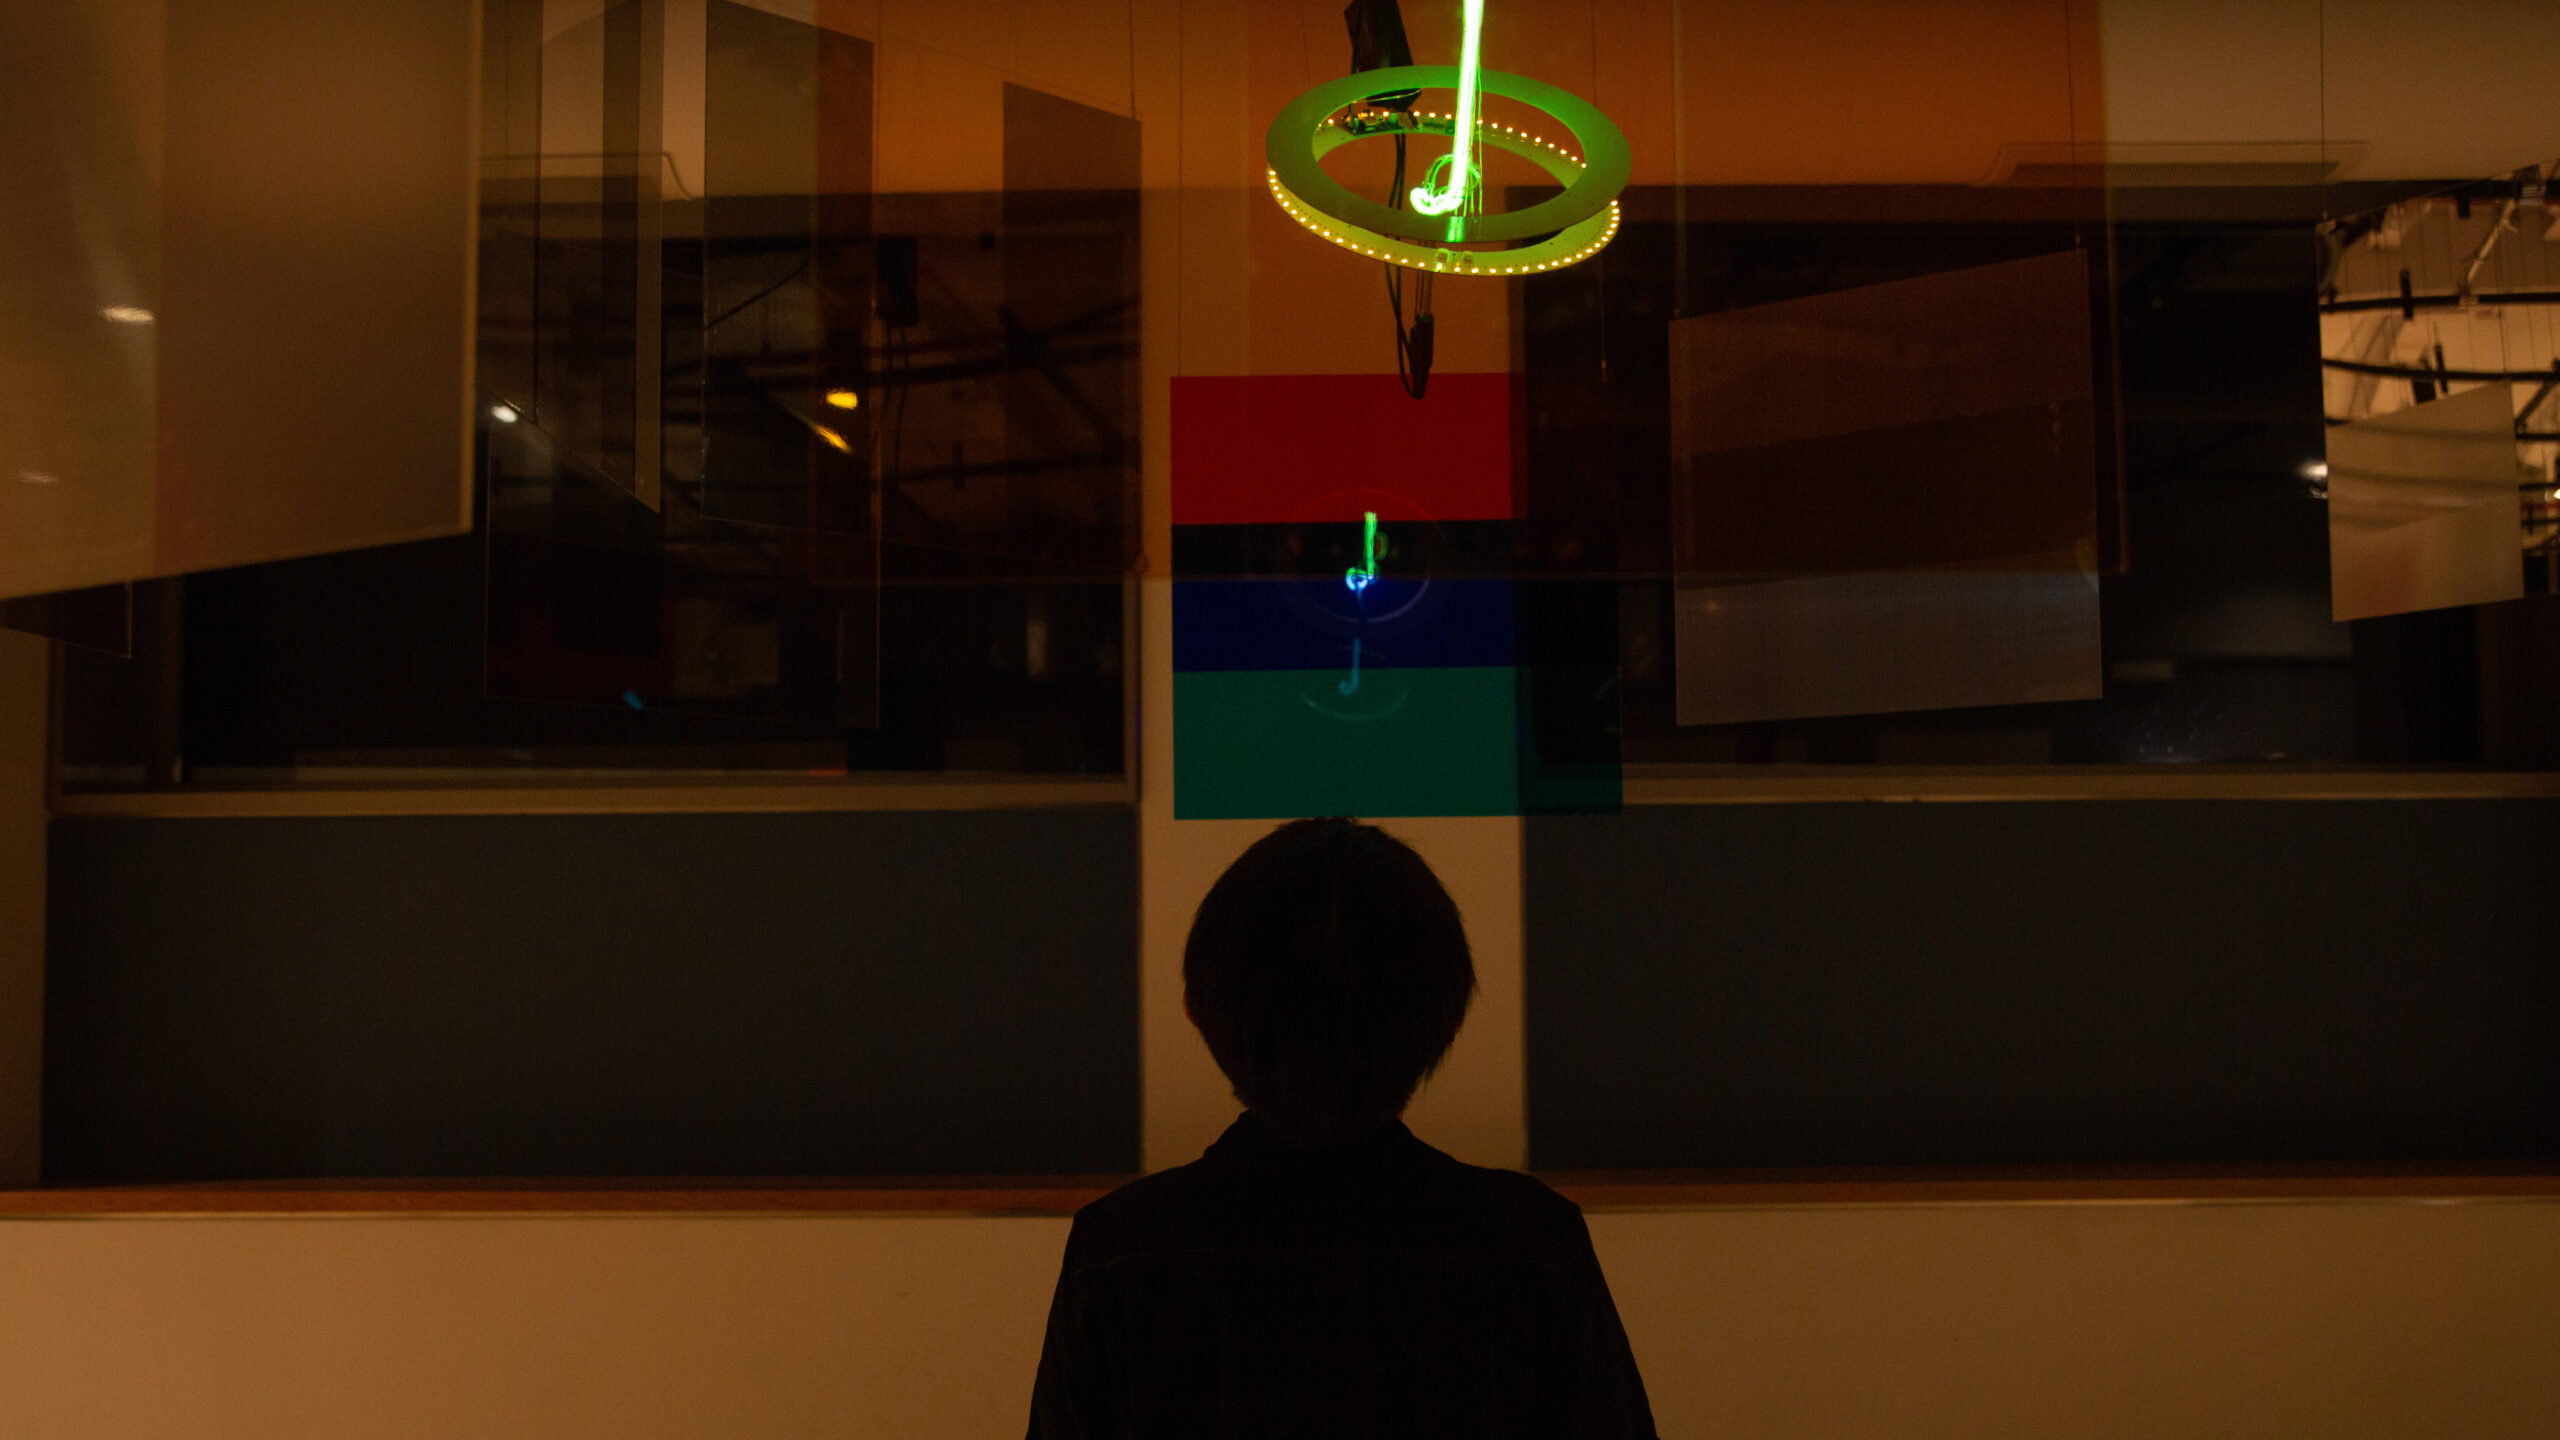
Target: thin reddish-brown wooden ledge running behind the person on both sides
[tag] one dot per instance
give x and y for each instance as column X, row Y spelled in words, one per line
column 1066, row 1195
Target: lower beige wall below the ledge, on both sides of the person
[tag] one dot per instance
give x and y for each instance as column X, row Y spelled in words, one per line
column 1891, row 1323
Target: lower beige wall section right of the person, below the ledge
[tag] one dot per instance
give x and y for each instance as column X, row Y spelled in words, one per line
column 2095, row 1321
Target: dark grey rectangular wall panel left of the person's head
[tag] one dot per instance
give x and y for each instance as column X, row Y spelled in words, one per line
column 721, row 995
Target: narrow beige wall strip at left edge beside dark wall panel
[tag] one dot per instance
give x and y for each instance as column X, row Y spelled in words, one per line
column 24, row 667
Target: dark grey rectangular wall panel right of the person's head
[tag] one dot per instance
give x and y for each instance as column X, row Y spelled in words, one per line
column 2164, row 983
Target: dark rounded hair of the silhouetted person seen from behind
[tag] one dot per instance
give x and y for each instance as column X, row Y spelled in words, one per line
column 1330, row 972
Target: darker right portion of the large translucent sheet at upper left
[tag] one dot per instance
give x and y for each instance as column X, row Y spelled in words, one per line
column 316, row 316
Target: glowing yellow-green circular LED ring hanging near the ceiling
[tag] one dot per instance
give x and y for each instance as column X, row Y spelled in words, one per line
column 1576, row 224
